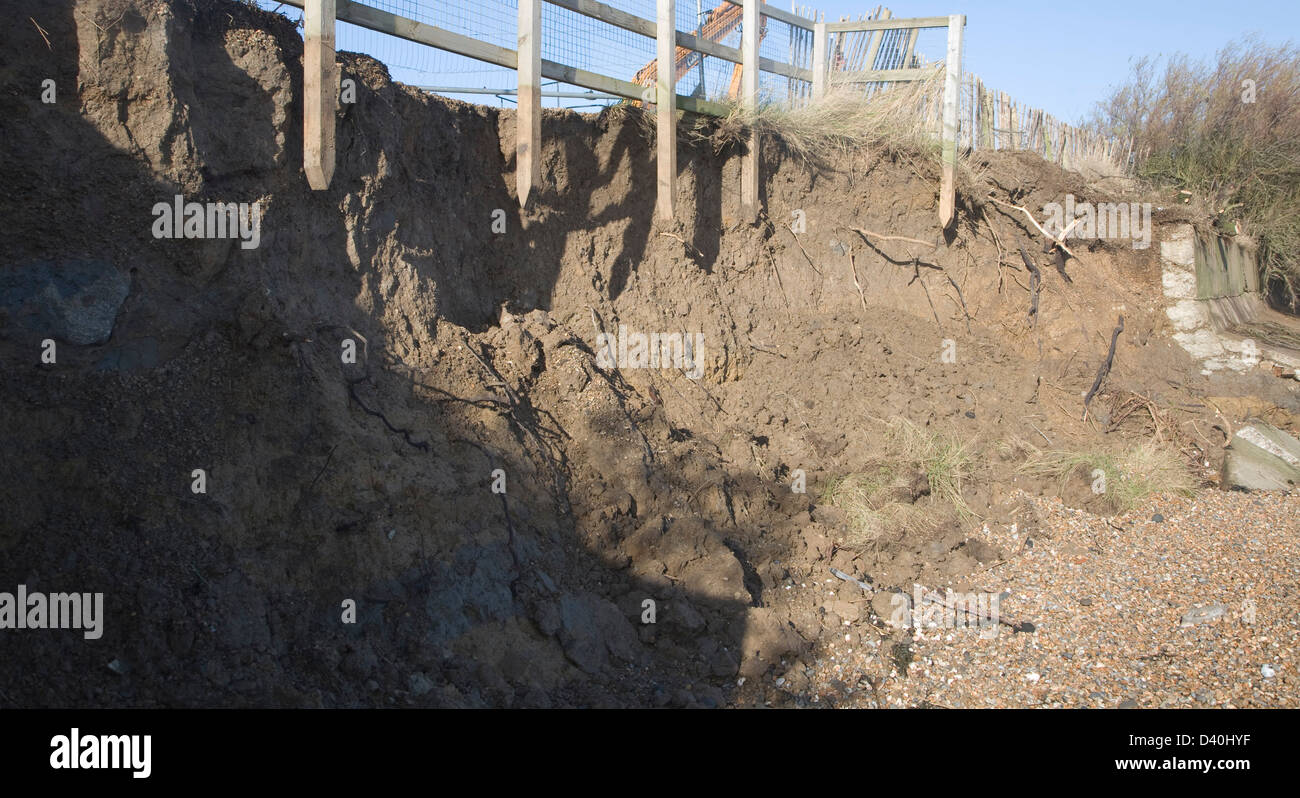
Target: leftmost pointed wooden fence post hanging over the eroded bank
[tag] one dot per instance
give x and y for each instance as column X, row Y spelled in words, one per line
column 320, row 90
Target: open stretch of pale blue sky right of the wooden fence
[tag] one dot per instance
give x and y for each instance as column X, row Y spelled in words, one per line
column 1064, row 57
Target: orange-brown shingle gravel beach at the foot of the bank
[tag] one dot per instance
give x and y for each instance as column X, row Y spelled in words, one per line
column 1108, row 598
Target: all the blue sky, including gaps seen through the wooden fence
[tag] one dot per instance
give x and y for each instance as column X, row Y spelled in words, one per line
column 1052, row 55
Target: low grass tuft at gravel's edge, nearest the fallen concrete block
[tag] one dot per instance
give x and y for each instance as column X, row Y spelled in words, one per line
column 1130, row 475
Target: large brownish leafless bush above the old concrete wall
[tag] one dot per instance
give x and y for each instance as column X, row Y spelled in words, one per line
column 1197, row 133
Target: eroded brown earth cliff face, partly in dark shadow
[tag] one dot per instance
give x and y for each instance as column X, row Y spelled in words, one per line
column 332, row 482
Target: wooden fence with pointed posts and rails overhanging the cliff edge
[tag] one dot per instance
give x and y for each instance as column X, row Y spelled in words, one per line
column 868, row 34
